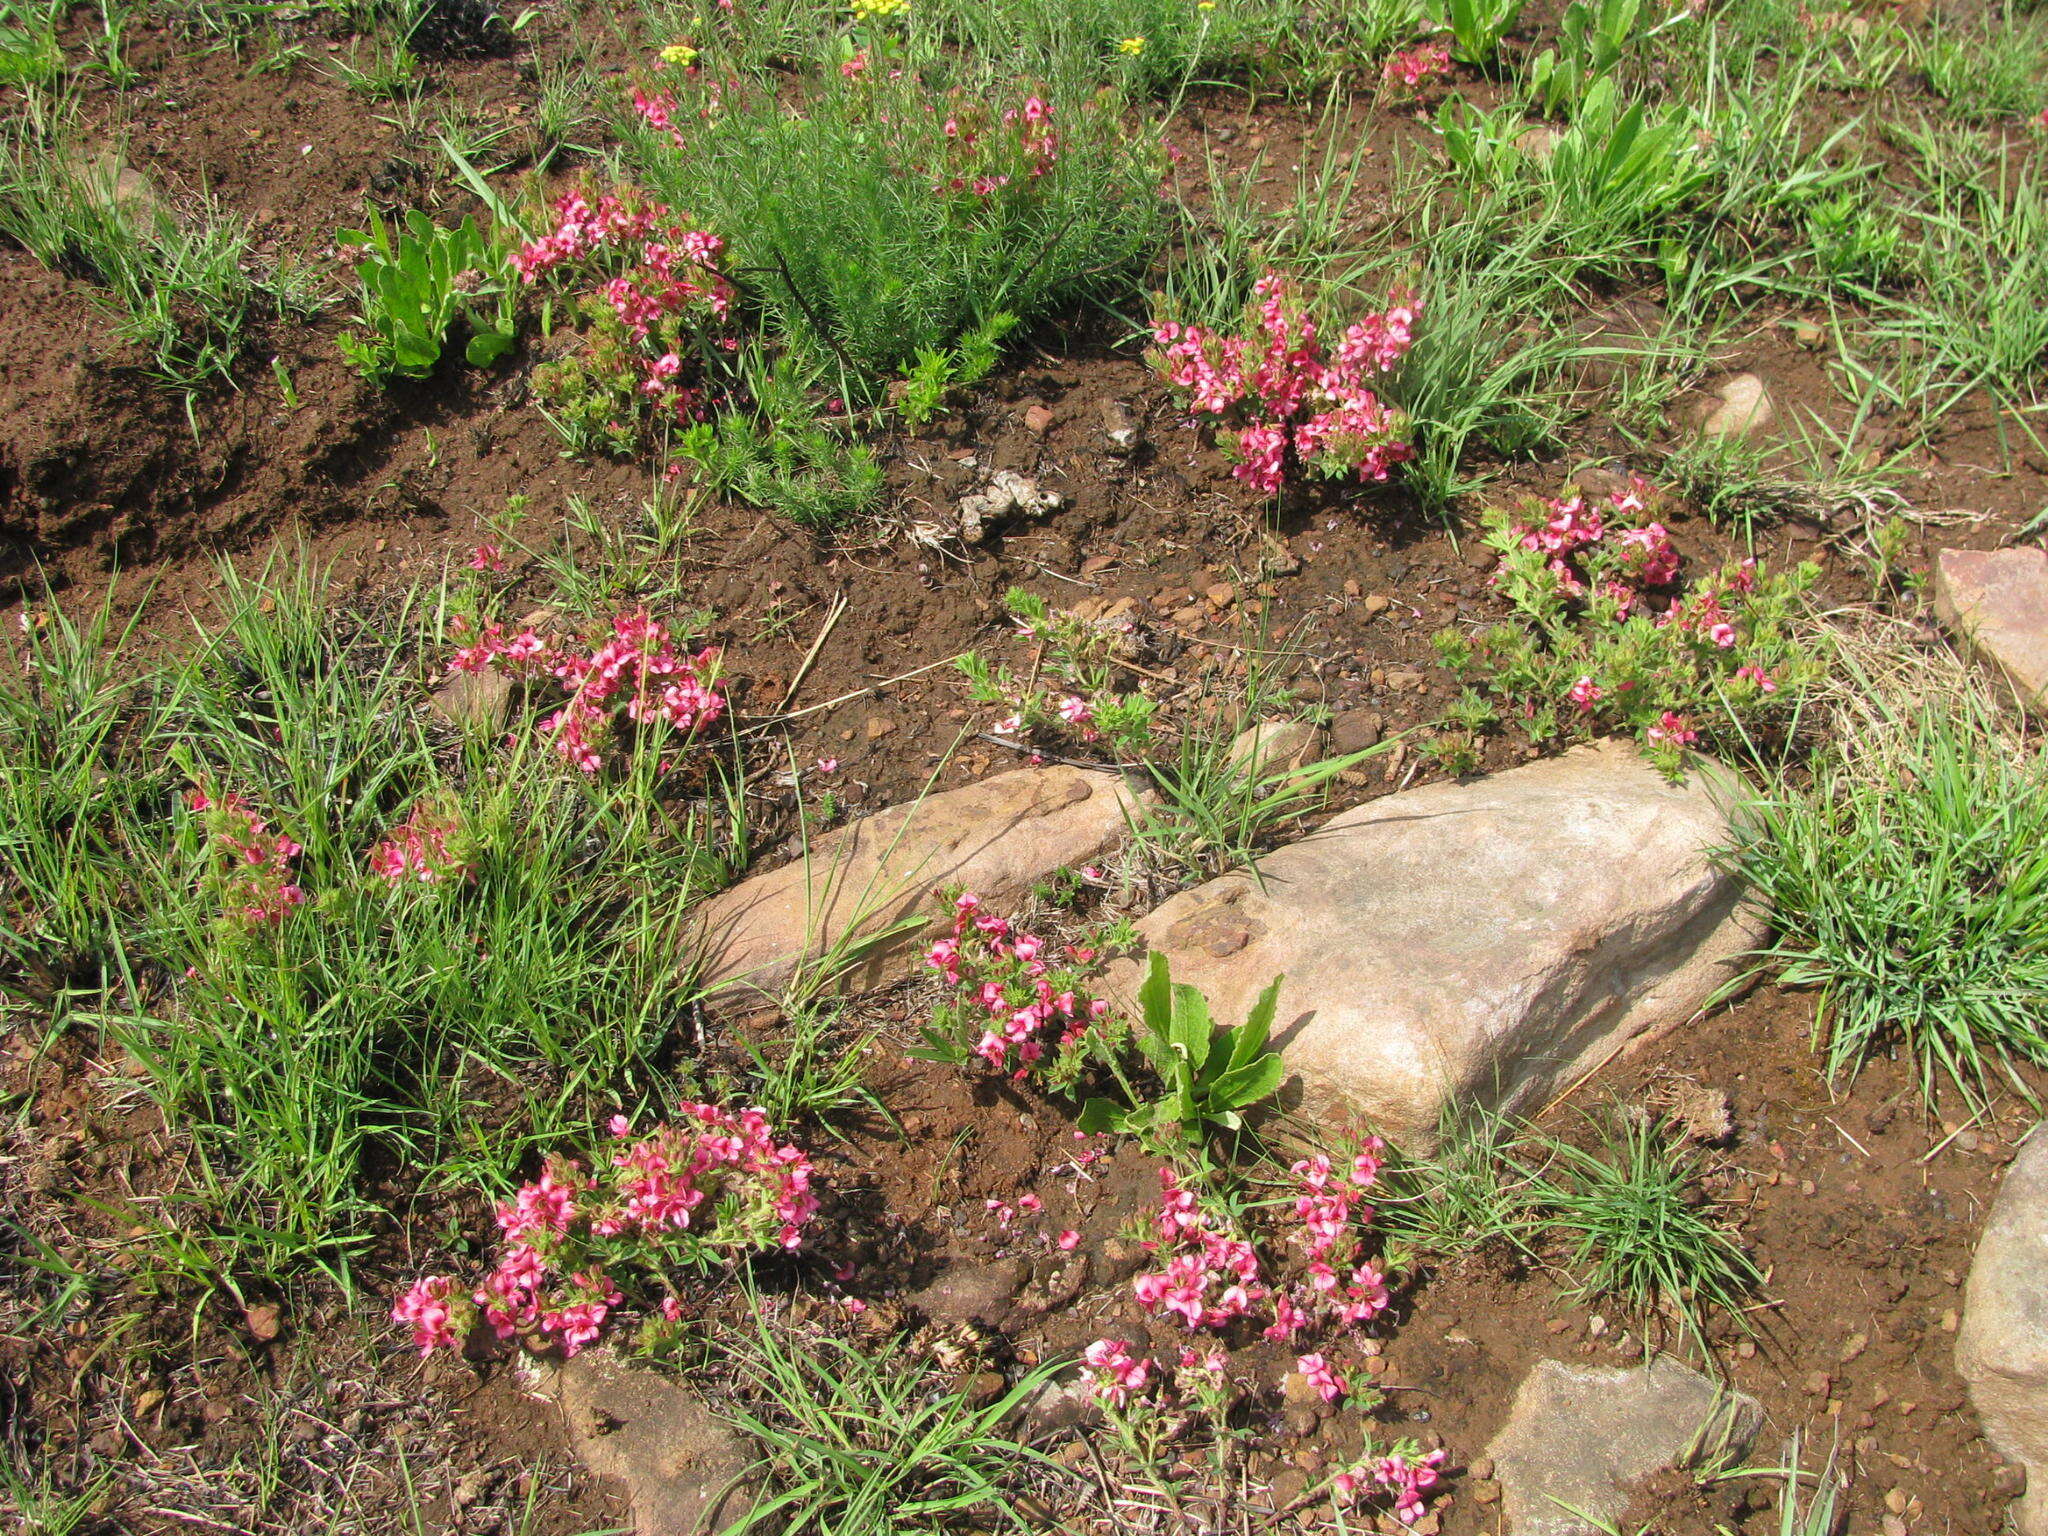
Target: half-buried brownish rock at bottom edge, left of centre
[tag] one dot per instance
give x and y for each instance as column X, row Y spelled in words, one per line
column 685, row 1467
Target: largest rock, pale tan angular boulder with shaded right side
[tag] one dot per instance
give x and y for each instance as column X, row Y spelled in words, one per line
column 1484, row 941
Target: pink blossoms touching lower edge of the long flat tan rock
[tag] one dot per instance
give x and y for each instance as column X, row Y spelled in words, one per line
column 1023, row 992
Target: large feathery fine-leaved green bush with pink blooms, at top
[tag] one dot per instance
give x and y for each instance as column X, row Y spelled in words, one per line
column 867, row 232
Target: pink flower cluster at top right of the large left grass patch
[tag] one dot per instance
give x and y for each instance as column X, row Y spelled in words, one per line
column 634, row 675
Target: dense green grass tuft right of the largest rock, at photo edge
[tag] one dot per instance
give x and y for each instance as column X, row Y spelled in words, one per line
column 1912, row 892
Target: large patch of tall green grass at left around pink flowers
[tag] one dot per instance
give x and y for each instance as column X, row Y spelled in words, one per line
column 433, row 1031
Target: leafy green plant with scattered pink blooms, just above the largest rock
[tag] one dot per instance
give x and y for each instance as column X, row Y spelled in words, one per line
column 1609, row 638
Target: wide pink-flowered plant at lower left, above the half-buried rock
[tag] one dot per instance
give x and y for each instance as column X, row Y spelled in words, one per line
column 697, row 1195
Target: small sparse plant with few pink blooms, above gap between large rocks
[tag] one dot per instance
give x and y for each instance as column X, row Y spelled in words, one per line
column 1072, row 683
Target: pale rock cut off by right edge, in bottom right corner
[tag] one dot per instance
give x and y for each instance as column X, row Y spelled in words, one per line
column 2002, row 1349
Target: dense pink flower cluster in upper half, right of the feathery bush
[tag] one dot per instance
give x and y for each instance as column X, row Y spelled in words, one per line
column 1295, row 404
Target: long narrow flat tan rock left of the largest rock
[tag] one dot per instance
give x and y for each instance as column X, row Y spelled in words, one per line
column 867, row 892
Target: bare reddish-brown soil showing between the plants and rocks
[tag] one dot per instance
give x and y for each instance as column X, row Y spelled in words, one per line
column 1859, row 1207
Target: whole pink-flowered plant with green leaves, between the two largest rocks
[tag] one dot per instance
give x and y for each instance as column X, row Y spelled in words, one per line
column 1023, row 998
